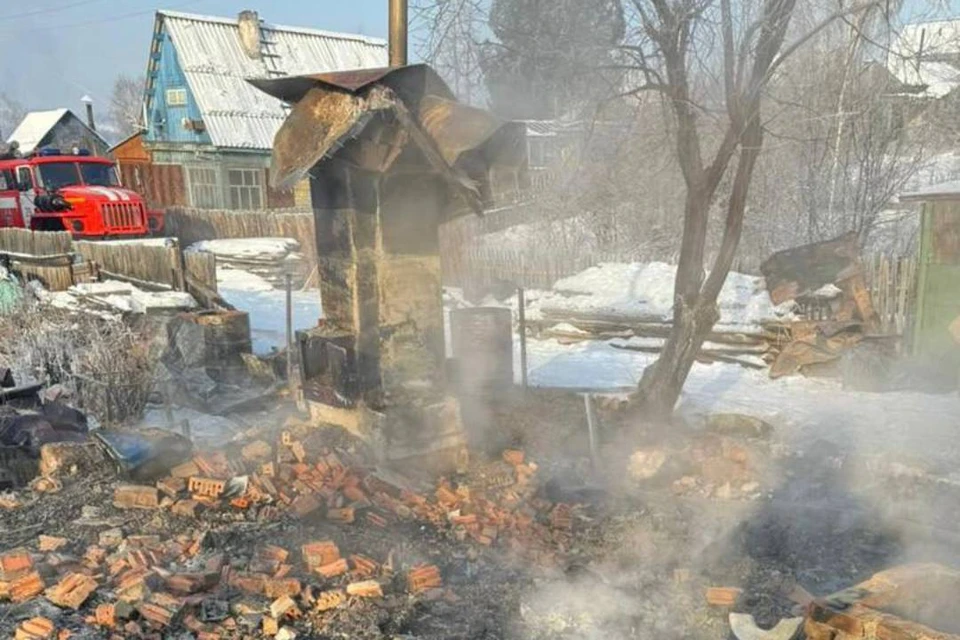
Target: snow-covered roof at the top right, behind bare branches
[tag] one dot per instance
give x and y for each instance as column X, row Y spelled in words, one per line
column 926, row 55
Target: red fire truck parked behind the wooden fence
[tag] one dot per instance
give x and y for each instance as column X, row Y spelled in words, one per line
column 55, row 191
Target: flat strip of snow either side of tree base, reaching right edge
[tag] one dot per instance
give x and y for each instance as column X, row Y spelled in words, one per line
column 801, row 409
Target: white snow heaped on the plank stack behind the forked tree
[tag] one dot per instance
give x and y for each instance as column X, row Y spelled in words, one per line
column 644, row 292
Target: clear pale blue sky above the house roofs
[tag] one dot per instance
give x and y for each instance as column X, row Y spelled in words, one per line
column 54, row 51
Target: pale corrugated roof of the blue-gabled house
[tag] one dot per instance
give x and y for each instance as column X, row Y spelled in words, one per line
column 234, row 113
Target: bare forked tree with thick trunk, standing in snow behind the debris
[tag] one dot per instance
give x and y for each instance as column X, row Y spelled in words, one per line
column 713, row 58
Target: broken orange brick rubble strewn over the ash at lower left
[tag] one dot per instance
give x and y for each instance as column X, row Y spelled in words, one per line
column 142, row 586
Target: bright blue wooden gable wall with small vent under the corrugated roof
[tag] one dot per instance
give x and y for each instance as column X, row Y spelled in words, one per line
column 165, row 122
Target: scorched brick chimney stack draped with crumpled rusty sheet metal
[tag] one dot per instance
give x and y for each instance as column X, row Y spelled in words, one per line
column 391, row 156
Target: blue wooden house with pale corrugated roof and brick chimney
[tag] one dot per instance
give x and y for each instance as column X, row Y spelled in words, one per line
column 206, row 126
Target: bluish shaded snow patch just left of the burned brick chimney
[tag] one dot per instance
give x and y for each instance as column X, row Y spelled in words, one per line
column 267, row 307
